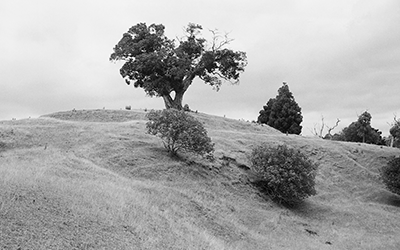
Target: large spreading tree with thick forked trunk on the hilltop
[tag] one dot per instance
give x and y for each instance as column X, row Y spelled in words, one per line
column 162, row 66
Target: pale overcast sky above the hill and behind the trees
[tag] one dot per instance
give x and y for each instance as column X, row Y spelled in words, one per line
column 339, row 57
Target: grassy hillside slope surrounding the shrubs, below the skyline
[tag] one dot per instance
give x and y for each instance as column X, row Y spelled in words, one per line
column 95, row 180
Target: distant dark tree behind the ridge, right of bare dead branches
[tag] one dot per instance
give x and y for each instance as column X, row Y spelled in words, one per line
column 360, row 131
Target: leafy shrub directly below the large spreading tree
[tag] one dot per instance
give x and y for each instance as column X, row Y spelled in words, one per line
column 179, row 131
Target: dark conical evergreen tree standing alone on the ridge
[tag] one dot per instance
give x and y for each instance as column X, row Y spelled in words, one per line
column 282, row 112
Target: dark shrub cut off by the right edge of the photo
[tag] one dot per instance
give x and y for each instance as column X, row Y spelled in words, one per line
column 390, row 174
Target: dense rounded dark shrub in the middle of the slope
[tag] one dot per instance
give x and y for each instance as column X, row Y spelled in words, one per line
column 284, row 173
